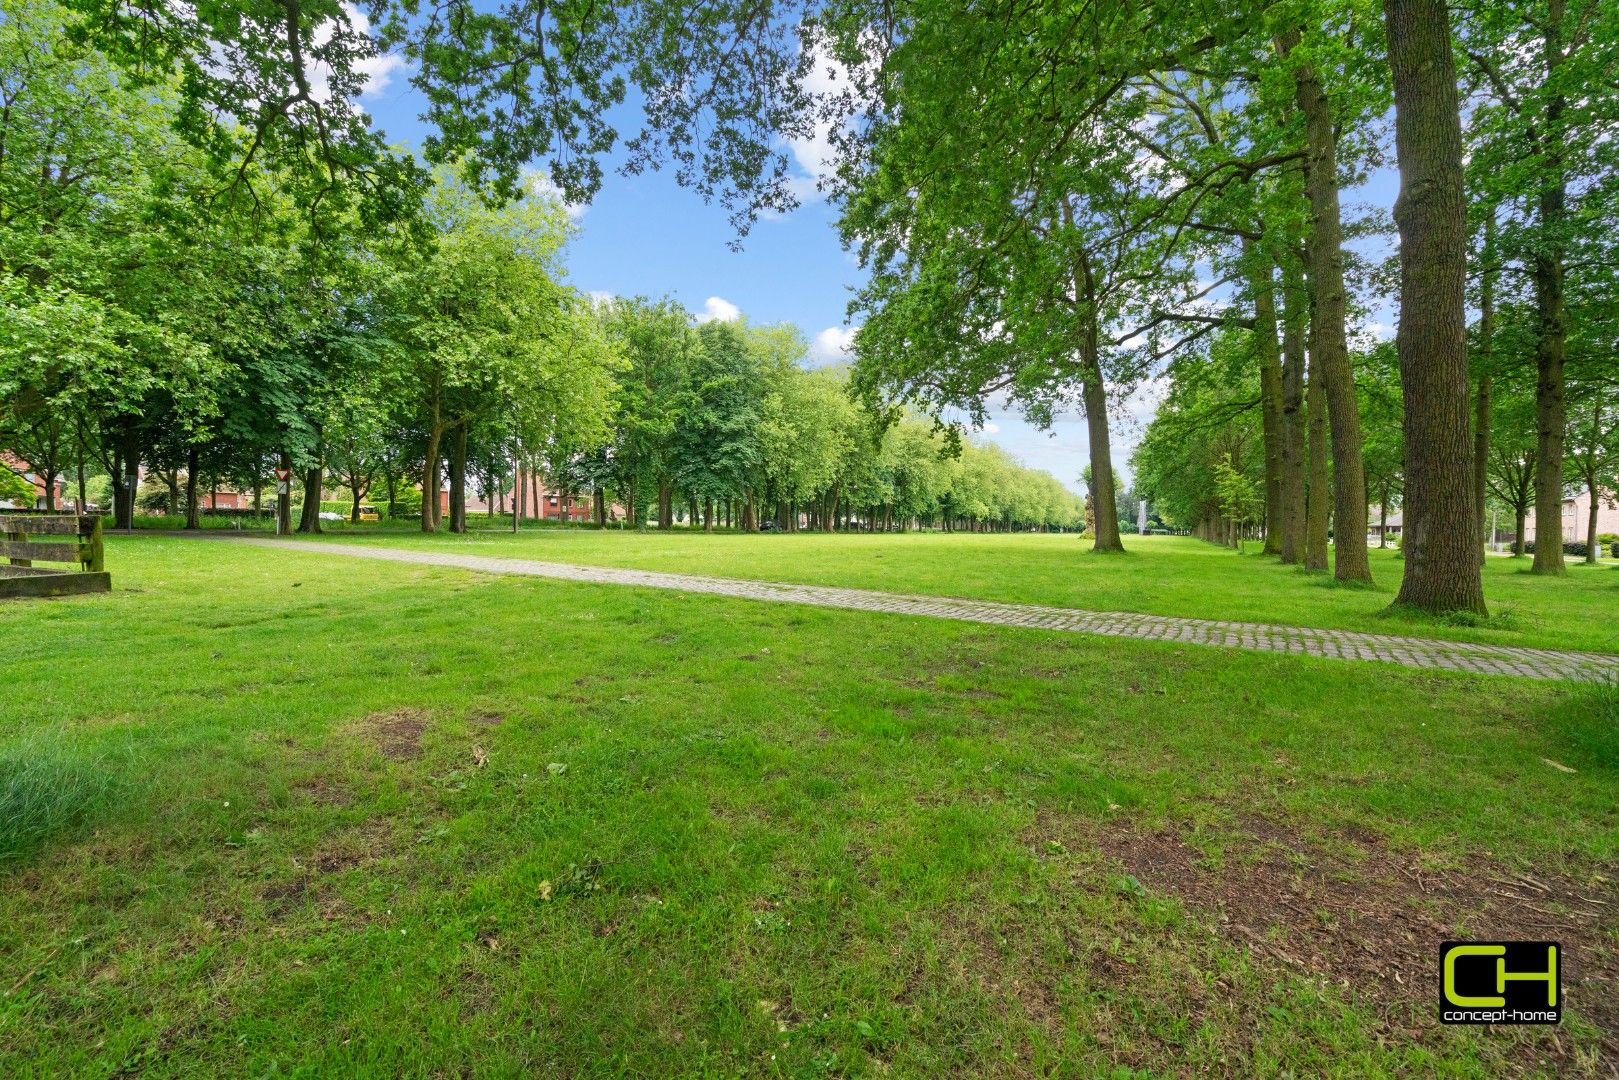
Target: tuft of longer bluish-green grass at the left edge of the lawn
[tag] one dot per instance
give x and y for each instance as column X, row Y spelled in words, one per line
column 46, row 791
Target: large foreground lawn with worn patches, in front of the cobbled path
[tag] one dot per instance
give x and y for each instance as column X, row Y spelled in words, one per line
column 273, row 814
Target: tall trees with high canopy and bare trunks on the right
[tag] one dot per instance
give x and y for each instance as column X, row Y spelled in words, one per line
column 1058, row 205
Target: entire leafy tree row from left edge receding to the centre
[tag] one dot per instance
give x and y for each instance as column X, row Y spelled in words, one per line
column 211, row 325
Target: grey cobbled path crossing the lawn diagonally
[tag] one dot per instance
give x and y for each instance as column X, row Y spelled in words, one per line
column 1456, row 657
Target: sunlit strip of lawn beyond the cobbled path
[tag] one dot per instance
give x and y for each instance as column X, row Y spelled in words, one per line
column 1162, row 576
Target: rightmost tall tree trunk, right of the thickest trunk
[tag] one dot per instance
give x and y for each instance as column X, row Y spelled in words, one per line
column 1547, row 271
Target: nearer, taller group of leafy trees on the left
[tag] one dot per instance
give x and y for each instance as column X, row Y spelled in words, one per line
column 171, row 312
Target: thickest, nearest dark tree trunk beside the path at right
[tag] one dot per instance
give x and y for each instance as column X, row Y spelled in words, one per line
column 1442, row 517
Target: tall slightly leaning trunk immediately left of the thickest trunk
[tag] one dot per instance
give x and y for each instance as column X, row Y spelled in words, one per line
column 1330, row 342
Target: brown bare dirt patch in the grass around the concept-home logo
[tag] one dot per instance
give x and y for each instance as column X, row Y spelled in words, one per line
column 1374, row 925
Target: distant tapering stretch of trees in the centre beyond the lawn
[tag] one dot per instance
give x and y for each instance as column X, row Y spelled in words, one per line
column 725, row 422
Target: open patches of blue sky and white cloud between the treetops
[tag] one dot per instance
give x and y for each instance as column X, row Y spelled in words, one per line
column 645, row 236
